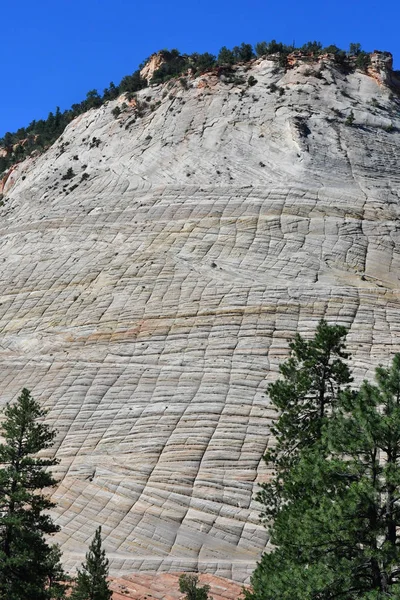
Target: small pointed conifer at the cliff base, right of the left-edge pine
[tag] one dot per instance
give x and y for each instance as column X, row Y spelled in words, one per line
column 91, row 581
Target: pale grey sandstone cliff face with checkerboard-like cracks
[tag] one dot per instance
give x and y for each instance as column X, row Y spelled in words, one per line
column 148, row 300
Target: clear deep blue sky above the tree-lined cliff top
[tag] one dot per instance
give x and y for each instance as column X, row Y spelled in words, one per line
column 53, row 52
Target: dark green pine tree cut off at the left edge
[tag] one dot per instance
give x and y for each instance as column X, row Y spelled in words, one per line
column 29, row 567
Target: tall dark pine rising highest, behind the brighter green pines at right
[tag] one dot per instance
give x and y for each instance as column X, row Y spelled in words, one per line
column 313, row 377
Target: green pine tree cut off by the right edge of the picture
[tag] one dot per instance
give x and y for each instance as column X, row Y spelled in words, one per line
column 365, row 436
